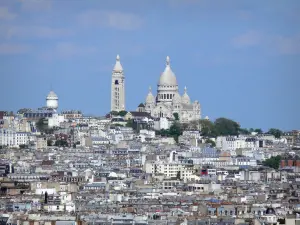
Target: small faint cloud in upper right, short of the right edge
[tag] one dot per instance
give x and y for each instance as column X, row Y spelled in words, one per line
column 250, row 38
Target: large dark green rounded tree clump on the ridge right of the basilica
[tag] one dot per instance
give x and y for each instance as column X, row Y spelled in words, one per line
column 226, row 126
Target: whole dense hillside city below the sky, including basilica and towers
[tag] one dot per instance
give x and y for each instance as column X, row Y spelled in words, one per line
column 161, row 163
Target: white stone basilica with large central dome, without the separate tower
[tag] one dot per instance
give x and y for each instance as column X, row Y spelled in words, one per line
column 168, row 100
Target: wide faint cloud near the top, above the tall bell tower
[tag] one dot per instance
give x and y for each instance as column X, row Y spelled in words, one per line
column 111, row 19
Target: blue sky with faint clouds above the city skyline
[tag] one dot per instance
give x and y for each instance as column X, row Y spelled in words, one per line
column 240, row 59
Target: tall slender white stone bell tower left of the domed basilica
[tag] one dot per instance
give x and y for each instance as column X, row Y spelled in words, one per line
column 118, row 87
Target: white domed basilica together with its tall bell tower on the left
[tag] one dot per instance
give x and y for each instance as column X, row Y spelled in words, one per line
column 166, row 102
